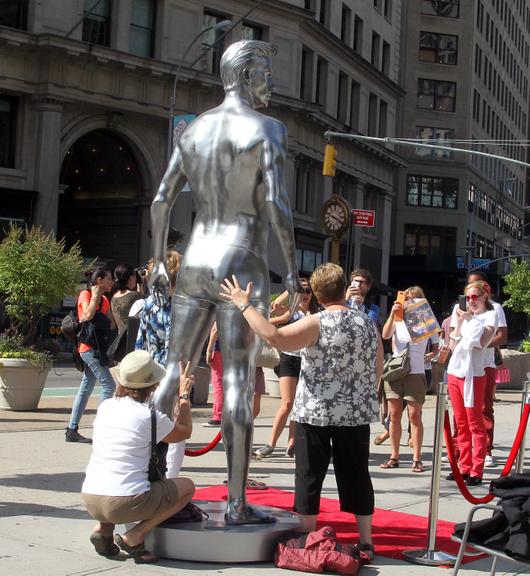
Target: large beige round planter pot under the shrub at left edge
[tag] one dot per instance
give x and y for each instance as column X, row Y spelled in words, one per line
column 21, row 384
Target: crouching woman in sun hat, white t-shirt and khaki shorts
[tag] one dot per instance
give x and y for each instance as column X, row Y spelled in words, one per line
column 116, row 489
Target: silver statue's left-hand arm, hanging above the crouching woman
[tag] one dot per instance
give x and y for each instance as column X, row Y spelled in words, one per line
column 169, row 189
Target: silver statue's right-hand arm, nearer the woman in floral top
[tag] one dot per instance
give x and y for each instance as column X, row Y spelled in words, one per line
column 273, row 170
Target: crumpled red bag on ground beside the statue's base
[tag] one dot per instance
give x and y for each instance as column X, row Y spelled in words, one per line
column 317, row 552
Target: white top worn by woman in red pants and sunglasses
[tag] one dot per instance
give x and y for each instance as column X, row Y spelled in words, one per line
column 466, row 352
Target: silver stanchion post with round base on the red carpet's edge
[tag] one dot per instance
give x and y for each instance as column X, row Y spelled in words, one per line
column 430, row 556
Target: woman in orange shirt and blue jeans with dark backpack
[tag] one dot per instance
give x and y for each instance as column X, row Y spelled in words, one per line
column 94, row 313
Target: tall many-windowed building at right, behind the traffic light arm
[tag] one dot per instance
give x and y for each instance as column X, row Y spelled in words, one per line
column 466, row 73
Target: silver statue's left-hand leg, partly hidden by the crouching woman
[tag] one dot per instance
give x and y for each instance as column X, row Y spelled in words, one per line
column 191, row 321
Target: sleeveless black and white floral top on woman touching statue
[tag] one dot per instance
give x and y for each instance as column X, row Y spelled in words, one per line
column 337, row 377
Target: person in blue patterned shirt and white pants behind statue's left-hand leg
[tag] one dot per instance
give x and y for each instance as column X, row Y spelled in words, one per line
column 153, row 336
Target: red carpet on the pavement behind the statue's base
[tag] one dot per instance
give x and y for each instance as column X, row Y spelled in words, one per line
column 393, row 532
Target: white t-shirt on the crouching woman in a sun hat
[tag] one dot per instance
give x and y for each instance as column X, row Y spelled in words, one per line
column 121, row 448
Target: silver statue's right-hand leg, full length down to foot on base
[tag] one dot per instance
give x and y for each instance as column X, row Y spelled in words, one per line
column 239, row 348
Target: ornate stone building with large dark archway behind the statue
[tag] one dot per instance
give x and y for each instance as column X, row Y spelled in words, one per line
column 85, row 87
